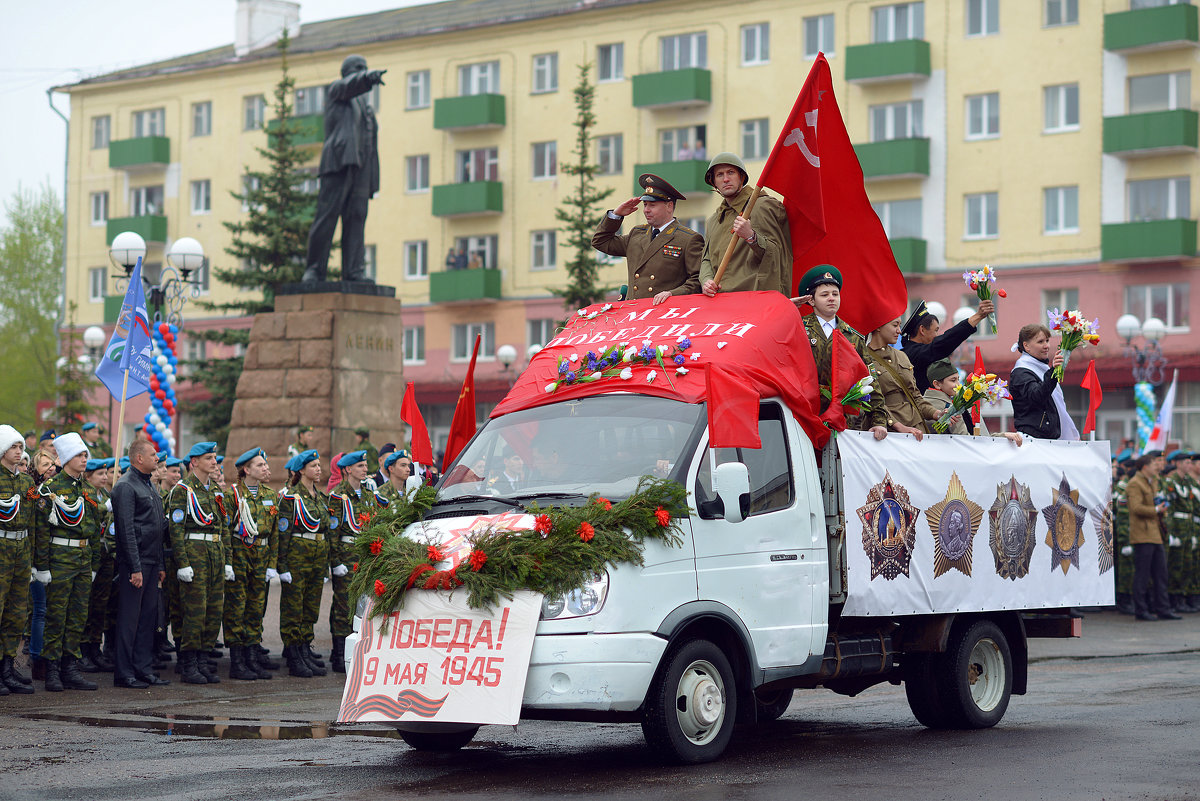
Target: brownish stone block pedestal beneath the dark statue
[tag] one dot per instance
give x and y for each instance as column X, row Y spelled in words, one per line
column 332, row 359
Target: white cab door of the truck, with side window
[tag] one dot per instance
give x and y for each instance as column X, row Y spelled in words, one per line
column 769, row 568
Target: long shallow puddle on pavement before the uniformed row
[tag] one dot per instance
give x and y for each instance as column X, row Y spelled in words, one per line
column 221, row 730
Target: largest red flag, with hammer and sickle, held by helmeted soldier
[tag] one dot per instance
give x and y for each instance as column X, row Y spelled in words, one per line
column 815, row 168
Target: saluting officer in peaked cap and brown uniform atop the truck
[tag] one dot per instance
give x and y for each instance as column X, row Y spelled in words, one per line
column 663, row 256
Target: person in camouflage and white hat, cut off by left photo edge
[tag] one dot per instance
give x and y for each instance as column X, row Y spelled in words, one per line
column 17, row 495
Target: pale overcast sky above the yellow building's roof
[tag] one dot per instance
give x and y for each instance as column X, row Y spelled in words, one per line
column 67, row 40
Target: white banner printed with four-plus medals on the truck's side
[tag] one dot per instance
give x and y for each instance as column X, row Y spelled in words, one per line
column 975, row 523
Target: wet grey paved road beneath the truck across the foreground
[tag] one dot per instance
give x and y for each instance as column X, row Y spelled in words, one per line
column 1115, row 715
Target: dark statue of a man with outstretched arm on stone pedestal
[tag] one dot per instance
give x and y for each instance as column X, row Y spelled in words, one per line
column 350, row 172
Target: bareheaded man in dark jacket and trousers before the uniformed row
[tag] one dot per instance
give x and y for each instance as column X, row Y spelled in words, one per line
column 141, row 531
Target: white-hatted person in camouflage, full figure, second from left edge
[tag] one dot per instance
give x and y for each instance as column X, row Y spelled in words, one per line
column 67, row 528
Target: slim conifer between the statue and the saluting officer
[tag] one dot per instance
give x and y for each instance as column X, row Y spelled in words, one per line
column 580, row 210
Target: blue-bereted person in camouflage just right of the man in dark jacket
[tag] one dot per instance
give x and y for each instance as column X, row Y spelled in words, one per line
column 200, row 540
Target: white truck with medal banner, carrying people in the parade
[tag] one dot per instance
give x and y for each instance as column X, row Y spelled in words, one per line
column 927, row 564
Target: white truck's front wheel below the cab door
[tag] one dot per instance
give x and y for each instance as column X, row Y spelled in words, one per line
column 692, row 704
